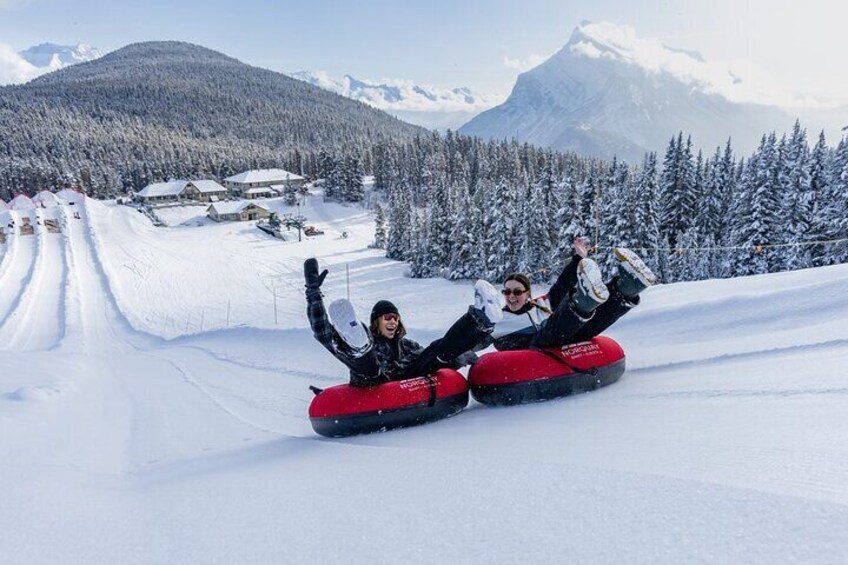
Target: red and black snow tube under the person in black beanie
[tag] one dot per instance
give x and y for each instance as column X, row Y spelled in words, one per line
column 344, row 410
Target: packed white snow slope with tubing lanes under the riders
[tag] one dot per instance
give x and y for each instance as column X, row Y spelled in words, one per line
column 153, row 400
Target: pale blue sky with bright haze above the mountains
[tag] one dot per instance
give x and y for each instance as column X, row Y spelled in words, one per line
column 482, row 44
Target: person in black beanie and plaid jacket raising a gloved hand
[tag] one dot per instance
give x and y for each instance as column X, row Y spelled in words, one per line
column 381, row 352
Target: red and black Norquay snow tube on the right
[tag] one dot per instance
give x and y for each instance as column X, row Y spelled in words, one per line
column 528, row 375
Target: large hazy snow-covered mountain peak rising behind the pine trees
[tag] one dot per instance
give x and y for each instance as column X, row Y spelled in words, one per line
column 609, row 92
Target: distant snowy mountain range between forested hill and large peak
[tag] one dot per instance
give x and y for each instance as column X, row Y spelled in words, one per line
column 424, row 105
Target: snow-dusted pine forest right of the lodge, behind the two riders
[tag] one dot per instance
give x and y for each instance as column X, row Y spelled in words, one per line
column 459, row 207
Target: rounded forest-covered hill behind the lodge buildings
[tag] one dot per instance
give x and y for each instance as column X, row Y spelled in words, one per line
column 158, row 109
